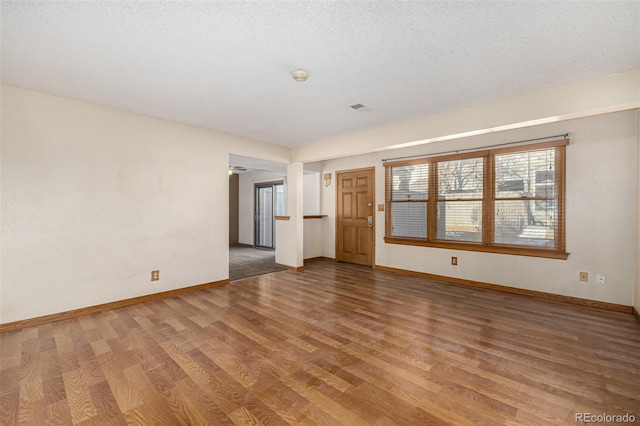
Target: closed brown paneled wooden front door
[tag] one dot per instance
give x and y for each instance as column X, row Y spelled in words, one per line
column 354, row 216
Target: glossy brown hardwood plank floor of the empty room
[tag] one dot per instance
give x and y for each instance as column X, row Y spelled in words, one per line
column 337, row 344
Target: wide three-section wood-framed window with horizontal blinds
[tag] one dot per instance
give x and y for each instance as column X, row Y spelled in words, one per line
column 509, row 200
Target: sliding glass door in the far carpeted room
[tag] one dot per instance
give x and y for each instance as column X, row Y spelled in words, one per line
column 269, row 203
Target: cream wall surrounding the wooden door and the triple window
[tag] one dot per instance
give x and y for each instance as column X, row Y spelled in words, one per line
column 602, row 214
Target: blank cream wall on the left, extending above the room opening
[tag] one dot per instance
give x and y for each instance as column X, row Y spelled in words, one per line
column 93, row 199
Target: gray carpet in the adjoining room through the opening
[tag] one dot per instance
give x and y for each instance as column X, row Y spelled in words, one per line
column 247, row 261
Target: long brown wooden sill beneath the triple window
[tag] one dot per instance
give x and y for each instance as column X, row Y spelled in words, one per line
column 512, row 250
